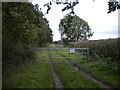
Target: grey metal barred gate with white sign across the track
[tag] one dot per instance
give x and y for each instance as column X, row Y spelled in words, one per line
column 57, row 53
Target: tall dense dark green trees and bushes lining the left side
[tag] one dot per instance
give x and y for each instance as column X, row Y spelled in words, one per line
column 23, row 28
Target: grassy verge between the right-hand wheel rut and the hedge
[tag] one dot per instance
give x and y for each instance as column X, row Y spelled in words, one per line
column 107, row 72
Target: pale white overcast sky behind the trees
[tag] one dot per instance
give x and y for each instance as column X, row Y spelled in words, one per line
column 102, row 24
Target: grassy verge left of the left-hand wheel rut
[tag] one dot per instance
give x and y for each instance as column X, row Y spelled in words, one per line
column 34, row 75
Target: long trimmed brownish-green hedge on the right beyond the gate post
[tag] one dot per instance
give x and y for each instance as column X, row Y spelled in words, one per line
column 108, row 48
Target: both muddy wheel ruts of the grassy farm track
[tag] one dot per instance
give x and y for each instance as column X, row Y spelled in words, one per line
column 59, row 84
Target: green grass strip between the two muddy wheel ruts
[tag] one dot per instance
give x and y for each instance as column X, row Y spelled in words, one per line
column 70, row 77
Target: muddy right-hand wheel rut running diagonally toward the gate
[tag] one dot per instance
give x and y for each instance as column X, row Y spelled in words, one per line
column 89, row 75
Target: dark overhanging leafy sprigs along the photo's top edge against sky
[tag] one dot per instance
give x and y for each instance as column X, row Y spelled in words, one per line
column 70, row 5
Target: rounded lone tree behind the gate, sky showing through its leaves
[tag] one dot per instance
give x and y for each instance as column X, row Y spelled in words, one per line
column 73, row 29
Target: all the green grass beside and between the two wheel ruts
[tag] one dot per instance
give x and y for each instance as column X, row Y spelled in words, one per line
column 38, row 75
